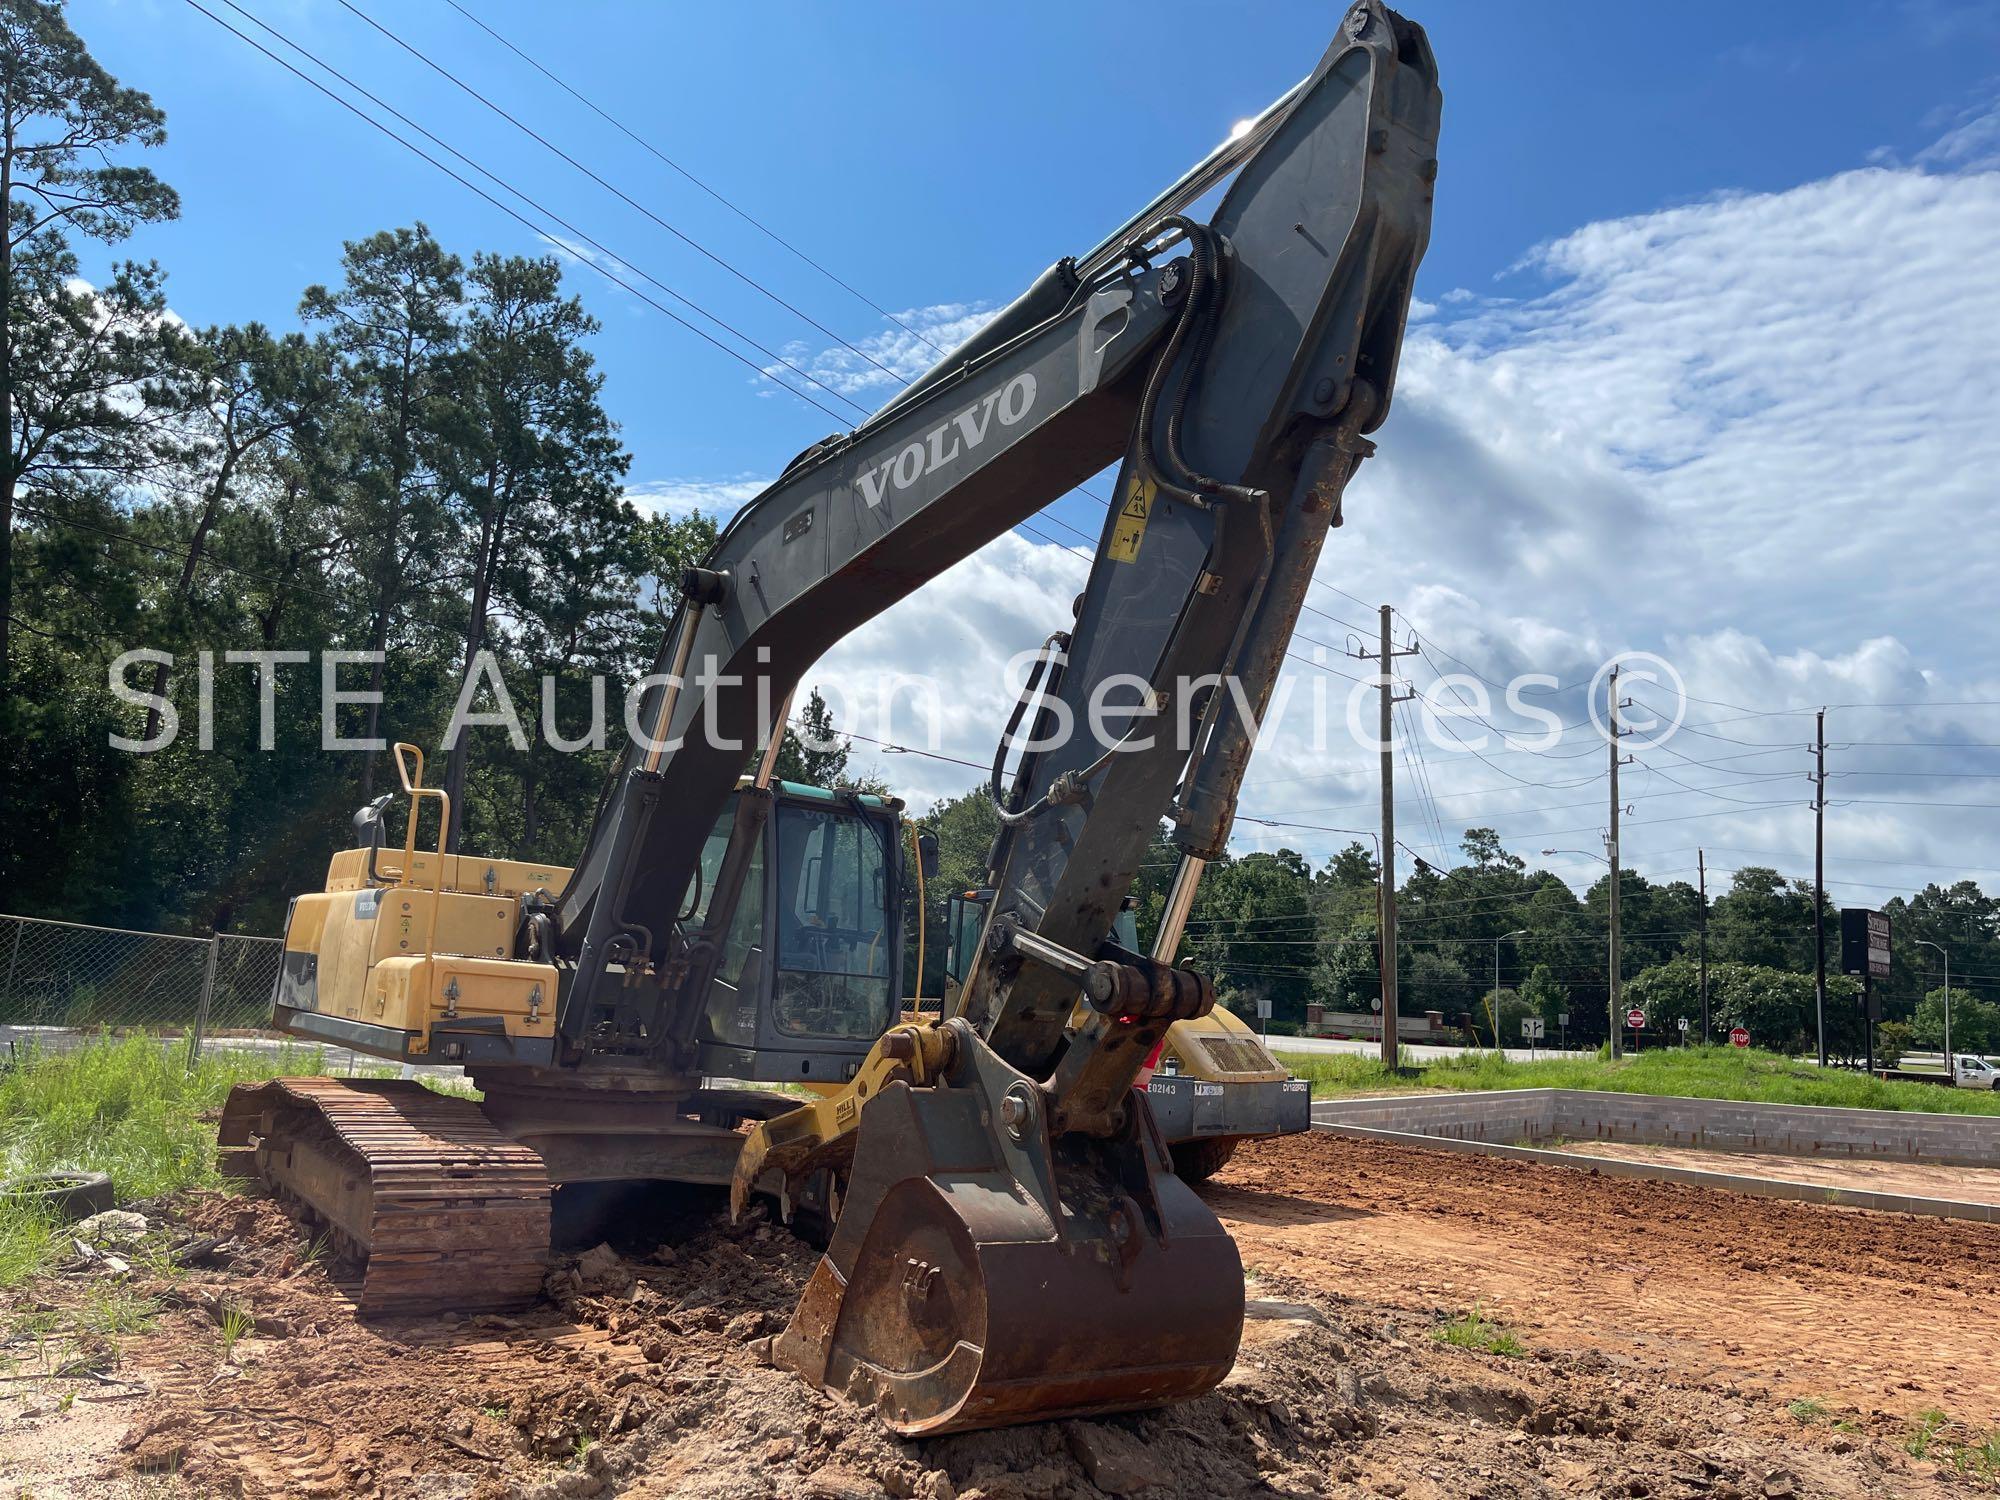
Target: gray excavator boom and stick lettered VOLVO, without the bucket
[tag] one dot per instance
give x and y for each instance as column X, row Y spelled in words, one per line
column 1231, row 369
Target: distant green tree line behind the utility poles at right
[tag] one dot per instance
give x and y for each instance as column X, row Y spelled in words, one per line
column 1275, row 927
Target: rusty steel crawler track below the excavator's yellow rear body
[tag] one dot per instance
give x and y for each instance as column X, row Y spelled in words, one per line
column 445, row 1211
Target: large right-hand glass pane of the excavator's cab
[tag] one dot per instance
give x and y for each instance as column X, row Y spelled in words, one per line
column 835, row 927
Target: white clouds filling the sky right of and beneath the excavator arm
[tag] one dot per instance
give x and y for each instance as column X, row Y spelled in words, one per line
column 1753, row 435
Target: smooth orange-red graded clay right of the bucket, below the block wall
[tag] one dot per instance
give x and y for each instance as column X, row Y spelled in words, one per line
column 1887, row 1313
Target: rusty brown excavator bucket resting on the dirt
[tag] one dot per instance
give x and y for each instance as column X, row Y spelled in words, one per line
column 983, row 1273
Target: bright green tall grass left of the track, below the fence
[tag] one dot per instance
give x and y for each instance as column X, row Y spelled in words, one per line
column 127, row 1107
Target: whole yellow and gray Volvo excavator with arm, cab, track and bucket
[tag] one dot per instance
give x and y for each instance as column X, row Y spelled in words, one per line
column 1011, row 1239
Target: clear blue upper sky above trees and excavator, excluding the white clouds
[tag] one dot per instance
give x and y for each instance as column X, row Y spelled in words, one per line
column 937, row 155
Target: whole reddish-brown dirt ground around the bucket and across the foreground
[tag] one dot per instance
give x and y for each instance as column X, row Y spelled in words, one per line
column 1661, row 1331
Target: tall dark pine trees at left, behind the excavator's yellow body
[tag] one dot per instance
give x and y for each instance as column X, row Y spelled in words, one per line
column 419, row 473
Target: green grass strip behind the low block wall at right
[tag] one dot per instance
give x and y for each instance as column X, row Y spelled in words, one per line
column 1695, row 1073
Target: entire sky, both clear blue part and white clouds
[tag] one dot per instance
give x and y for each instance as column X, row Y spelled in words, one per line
column 1703, row 359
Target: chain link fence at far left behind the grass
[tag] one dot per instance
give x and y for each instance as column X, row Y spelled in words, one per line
column 65, row 981
